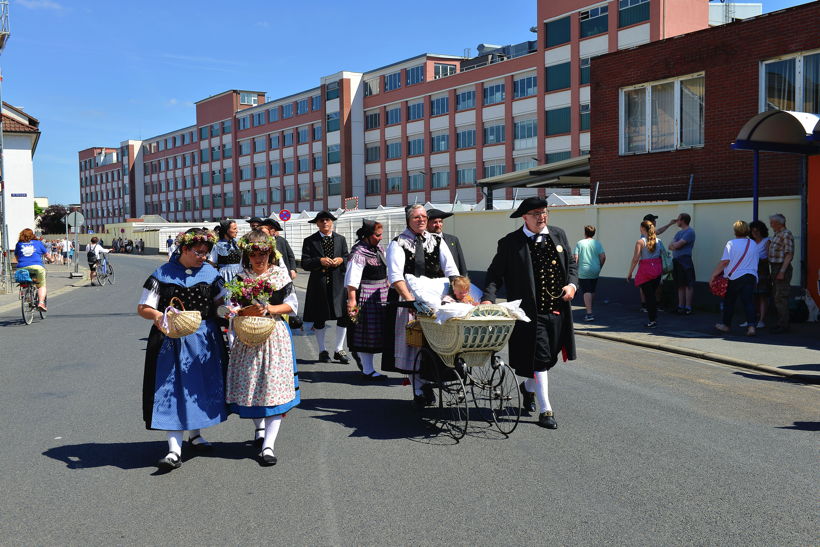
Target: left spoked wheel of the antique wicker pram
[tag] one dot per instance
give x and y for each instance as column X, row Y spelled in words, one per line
column 449, row 412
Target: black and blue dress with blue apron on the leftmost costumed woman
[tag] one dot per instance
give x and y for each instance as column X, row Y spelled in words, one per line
column 184, row 381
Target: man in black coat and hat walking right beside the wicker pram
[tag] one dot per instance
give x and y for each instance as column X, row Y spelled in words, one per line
column 536, row 264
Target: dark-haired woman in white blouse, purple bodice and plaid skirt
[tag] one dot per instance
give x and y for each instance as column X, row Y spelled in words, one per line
column 367, row 288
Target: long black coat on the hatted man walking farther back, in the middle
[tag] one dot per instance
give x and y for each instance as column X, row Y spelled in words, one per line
column 321, row 304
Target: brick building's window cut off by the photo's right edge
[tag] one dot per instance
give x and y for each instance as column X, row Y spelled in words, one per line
column 791, row 84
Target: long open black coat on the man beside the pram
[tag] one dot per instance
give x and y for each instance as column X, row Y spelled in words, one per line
column 512, row 266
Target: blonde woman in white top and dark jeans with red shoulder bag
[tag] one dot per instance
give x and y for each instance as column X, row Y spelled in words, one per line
column 739, row 265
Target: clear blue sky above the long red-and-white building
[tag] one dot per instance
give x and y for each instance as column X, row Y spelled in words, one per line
column 97, row 72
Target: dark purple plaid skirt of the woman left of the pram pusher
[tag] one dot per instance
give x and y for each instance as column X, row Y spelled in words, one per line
column 367, row 334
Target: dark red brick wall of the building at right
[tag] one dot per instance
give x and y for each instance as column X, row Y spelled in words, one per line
column 730, row 57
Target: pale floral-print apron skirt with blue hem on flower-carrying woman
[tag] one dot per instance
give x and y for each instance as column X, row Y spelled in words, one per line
column 262, row 380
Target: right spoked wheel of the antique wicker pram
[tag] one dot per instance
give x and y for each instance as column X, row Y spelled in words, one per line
column 495, row 394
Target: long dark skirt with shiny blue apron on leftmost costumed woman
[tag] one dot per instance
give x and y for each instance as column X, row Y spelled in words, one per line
column 184, row 380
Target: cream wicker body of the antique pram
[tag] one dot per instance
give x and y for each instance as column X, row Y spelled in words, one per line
column 473, row 338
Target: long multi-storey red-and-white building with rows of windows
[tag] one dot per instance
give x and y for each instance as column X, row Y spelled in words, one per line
column 422, row 129
